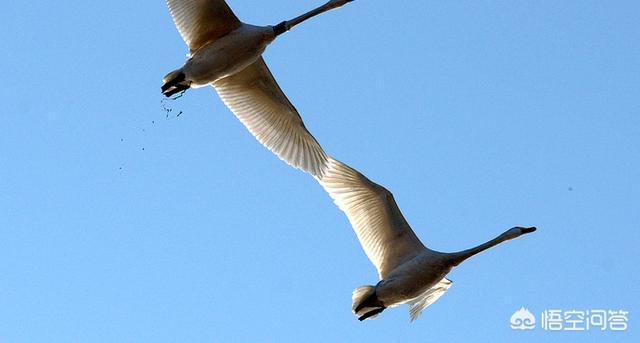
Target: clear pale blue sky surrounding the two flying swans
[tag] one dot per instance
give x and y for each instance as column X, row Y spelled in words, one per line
column 122, row 223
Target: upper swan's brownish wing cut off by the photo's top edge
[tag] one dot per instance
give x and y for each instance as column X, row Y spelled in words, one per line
column 201, row 21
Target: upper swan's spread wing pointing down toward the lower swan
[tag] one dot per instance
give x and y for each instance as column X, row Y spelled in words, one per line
column 256, row 99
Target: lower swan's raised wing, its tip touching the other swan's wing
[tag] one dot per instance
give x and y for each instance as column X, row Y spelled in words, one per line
column 383, row 232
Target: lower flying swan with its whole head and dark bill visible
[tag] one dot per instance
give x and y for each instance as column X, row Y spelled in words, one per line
column 409, row 272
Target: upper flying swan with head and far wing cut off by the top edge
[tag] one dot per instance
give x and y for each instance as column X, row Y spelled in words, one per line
column 226, row 53
